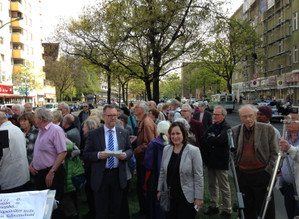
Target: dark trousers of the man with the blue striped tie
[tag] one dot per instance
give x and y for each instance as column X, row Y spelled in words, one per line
column 108, row 198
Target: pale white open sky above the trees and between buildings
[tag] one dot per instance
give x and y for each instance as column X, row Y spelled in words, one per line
column 54, row 10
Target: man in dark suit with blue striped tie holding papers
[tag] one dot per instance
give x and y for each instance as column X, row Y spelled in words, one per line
column 108, row 173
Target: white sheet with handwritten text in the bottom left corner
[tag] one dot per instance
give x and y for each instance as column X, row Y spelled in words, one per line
column 25, row 205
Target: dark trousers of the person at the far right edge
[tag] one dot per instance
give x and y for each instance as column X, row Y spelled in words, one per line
column 290, row 203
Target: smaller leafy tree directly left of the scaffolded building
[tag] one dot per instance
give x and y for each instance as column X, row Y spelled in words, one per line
column 233, row 41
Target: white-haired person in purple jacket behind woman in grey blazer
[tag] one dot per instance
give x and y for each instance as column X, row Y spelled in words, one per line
column 152, row 164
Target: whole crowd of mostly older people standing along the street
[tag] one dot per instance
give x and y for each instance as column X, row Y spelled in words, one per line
column 166, row 146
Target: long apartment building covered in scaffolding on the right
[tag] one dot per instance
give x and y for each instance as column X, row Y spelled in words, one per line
column 275, row 74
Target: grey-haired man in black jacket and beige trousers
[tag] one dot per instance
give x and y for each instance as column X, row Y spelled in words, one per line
column 216, row 159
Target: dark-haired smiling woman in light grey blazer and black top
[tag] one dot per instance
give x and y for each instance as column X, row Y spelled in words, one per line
column 182, row 174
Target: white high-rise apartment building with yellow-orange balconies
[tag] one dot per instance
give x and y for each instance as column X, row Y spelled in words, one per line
column 21, row 54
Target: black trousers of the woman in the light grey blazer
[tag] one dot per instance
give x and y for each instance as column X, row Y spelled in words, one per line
column 181, row 209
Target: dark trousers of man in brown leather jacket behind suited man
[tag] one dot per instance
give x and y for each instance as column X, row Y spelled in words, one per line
column 141, row 194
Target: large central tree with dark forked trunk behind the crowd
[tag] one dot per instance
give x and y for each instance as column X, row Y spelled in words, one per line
column 160, row 33
